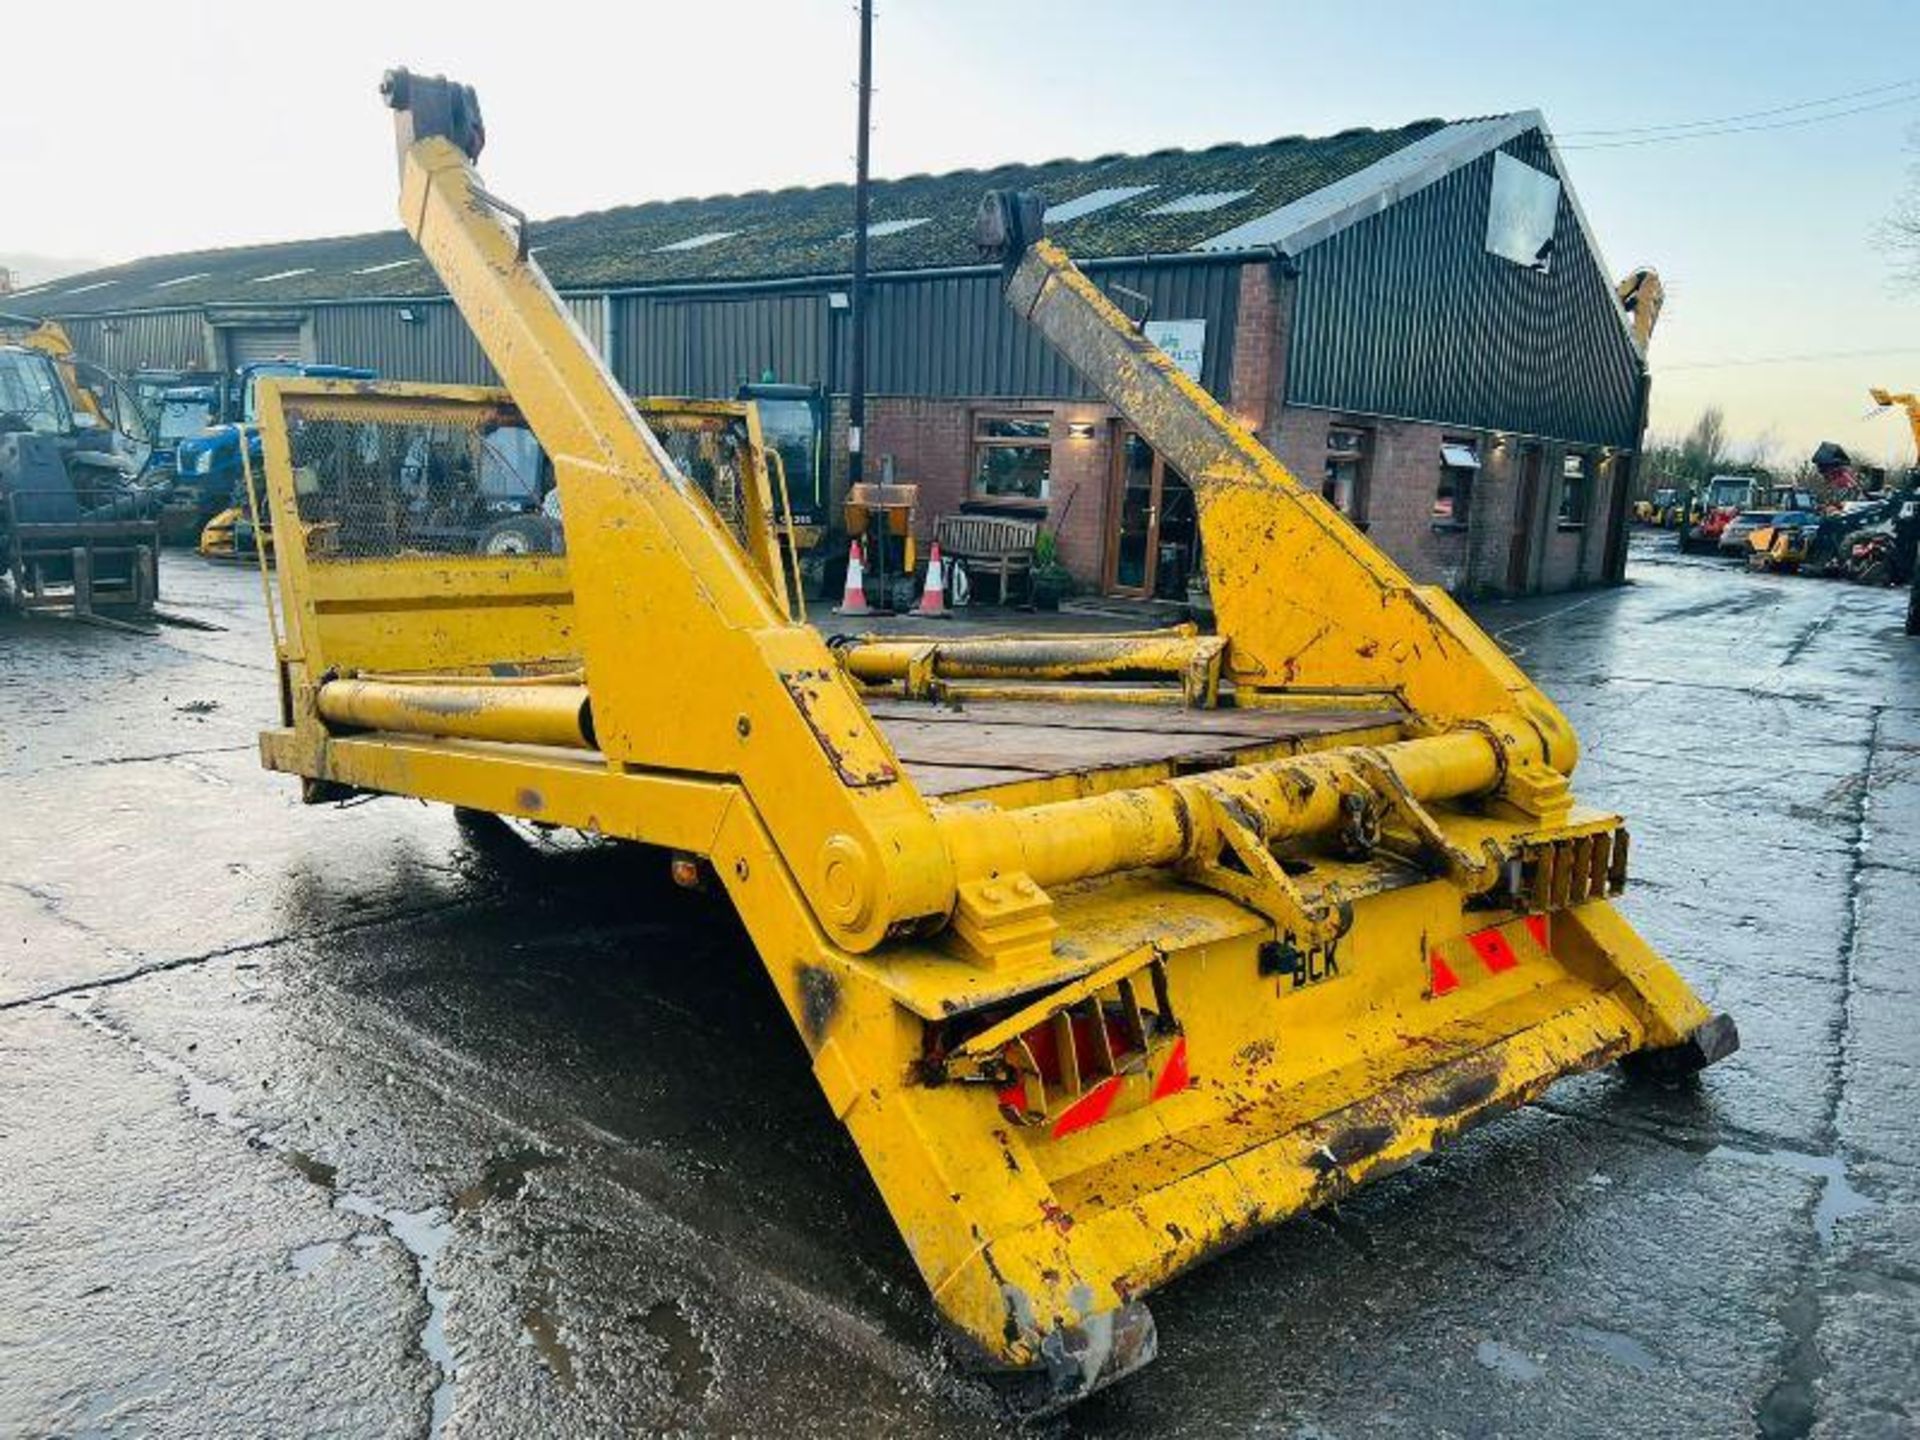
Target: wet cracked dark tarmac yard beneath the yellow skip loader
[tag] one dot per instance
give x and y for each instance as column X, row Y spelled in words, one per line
column 368, row 1122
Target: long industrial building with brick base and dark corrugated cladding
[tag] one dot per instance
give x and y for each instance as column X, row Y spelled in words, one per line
column 1418, row 322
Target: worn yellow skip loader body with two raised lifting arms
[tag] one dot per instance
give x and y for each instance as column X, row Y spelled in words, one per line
column 1107, row 949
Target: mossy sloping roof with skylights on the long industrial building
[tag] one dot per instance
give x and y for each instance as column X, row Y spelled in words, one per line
column 1224, row 199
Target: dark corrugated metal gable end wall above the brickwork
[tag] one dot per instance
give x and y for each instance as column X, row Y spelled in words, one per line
column 1406, row 314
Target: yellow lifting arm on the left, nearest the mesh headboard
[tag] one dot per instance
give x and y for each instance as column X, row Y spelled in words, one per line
column 692, row 663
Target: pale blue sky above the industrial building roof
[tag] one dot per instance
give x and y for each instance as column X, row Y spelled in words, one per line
column 1765, row 239
